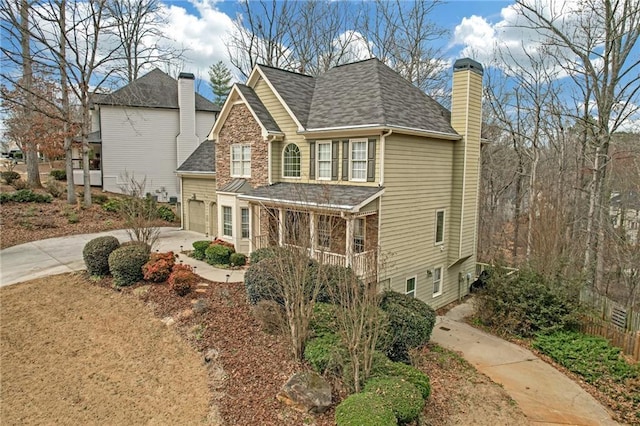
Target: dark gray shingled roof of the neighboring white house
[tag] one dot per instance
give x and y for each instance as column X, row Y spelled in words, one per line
column 153, row 90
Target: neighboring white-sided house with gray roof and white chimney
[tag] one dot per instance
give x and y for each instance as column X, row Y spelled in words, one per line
column 147, row 129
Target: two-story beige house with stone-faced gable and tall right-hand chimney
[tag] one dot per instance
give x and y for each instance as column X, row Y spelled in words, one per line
column 360, row 164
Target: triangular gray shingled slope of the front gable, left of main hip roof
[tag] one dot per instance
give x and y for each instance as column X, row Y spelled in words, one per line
column 295, row 89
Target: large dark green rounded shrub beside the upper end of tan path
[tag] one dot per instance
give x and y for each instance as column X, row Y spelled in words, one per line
column 411, row 322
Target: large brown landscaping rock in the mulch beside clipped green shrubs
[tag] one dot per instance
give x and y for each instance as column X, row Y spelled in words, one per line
column 307, row 392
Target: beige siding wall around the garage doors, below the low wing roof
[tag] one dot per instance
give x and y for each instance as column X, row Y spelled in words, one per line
column 204, row 188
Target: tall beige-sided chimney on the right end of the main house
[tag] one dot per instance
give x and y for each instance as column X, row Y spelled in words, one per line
column 466, row 119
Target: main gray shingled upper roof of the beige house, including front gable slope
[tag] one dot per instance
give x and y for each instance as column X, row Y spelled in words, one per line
column 357, row 94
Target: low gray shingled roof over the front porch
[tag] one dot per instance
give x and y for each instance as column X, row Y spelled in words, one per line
column 337, row 197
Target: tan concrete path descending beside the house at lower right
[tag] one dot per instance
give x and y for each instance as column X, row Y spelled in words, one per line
column 546, row 396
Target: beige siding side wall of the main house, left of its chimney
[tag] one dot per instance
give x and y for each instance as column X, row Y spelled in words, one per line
column 418, row 182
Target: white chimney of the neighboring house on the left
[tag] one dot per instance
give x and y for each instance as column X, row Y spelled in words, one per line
column 187, row 140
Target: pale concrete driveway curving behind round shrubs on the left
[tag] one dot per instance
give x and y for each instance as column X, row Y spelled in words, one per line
column 53, row 256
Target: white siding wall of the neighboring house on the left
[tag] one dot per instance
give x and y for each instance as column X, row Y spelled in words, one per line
column 142, row 142
